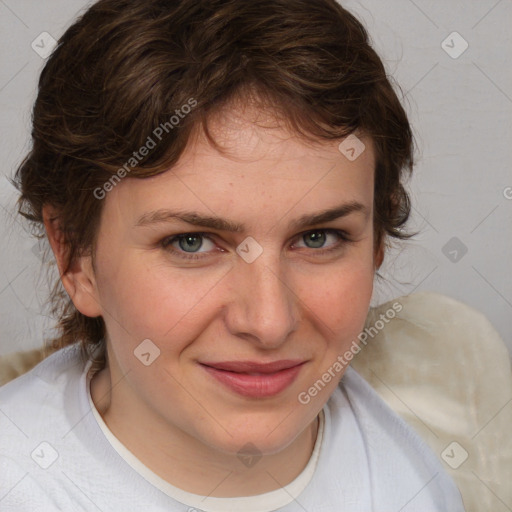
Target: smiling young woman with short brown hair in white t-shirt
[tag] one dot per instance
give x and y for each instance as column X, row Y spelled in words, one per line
column 217, row 181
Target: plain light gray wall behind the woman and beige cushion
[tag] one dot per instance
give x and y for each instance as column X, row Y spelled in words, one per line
column 462, row 186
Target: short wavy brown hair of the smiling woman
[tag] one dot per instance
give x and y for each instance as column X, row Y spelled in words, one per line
column 127, row 66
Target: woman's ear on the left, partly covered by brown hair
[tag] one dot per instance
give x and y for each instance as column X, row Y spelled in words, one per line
column 79, row 280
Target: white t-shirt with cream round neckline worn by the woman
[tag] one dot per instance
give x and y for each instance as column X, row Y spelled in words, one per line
column 57, row 454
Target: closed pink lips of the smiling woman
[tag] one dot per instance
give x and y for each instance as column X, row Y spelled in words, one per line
column 255, row 380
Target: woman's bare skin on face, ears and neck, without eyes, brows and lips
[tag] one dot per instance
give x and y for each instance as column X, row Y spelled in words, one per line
column 293, row 301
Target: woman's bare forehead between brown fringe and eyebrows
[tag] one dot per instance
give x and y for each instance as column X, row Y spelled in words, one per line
column 262, row 164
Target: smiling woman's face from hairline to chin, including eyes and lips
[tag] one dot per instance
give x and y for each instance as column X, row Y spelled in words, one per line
column 249, row 272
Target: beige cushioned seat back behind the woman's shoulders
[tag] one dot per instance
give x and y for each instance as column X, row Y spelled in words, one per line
column 444, row 369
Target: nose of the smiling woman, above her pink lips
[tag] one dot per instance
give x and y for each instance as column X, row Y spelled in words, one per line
column 263, row 308
